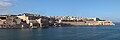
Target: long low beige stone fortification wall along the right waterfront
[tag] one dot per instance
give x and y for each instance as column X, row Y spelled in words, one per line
column 89, row 23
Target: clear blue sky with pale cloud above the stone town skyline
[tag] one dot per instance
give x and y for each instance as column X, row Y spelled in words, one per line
column 104, row 9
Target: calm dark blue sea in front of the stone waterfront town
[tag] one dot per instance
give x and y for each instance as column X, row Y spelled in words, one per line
column 63, row 33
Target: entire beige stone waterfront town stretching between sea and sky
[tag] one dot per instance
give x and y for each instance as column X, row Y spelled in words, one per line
column 27, row 20
